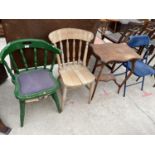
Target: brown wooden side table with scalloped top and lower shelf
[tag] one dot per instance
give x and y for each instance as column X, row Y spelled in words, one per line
column 110, row 53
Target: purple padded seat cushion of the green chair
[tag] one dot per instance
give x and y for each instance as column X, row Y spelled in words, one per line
column 35, row 81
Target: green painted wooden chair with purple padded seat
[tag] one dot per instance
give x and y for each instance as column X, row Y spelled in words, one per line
column 32, row 82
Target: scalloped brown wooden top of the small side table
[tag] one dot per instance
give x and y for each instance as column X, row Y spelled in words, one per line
column 111, row 52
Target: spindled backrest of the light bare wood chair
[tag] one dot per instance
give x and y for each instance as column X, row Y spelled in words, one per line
column 72, row 35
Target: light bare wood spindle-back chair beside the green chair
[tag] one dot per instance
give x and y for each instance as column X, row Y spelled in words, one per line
column 72, row 62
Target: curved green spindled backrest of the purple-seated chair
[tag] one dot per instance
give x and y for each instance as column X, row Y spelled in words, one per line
column 20, row 46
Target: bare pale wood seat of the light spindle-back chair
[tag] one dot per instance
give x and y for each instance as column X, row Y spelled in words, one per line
column 76, row 75
